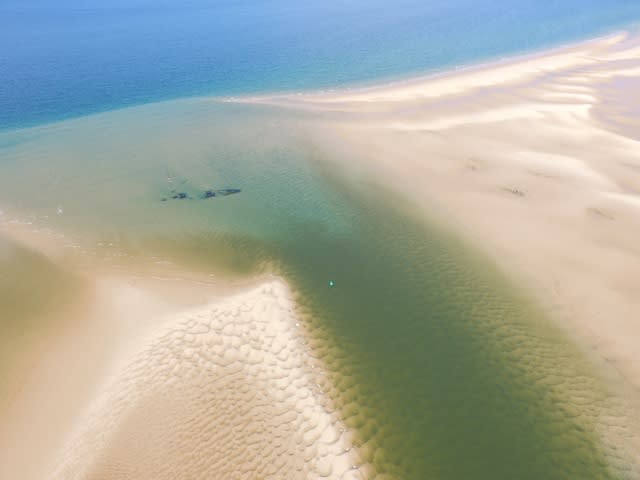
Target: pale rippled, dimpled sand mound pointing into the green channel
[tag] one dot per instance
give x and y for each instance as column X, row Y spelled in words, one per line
column 225, row 392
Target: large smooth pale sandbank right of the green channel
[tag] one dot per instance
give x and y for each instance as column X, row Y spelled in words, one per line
column 536, row 160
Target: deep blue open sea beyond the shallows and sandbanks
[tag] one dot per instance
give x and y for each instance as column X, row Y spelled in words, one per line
column 72, row 57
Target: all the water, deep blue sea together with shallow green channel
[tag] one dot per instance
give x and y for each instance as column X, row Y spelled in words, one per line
column 439, row 365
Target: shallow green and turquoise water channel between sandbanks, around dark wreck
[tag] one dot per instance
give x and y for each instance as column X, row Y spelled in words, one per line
column 441, row 368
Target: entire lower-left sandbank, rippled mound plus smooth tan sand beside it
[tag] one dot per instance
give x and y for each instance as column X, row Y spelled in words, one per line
column 171, row 378
